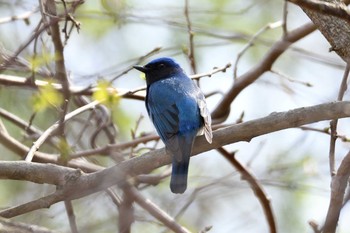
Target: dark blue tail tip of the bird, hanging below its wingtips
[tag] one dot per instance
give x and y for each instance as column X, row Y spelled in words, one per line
column 178, row 182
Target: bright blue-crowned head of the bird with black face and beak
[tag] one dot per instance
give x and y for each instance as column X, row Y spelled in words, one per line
column 160, row 68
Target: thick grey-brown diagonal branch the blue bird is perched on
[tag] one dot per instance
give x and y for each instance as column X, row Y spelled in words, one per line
column 86, row 184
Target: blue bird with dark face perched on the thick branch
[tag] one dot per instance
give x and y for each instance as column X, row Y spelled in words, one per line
column 179, row 112
